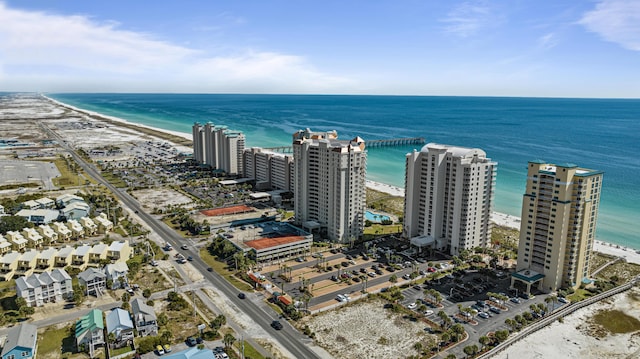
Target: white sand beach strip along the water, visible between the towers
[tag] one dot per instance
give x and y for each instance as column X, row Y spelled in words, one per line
column 501, row 219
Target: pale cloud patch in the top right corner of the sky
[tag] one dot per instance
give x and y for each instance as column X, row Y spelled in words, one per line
column 617, row 21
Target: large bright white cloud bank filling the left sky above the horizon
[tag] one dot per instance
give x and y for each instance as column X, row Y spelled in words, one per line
column 40, row 51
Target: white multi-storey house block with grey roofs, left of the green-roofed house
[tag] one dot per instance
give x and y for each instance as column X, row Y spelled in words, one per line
column 47, row 287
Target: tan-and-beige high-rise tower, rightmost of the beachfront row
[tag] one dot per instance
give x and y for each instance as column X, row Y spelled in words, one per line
column 559, row 214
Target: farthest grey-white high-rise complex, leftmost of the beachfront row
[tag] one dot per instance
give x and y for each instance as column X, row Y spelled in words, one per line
column 218, row 147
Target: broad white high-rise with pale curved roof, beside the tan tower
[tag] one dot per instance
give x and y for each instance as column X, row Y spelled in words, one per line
column 449, row 197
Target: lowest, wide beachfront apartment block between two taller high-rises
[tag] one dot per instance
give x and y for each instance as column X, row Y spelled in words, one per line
column 270, row 170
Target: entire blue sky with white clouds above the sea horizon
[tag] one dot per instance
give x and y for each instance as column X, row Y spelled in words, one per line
column 562, row 48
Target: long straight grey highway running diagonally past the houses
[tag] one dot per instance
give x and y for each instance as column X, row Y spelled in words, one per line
column 288, row 337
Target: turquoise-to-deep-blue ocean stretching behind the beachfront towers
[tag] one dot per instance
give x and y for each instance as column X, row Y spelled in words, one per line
column 600, row 134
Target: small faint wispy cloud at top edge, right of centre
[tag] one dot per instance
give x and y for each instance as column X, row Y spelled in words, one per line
column 468, row 18
